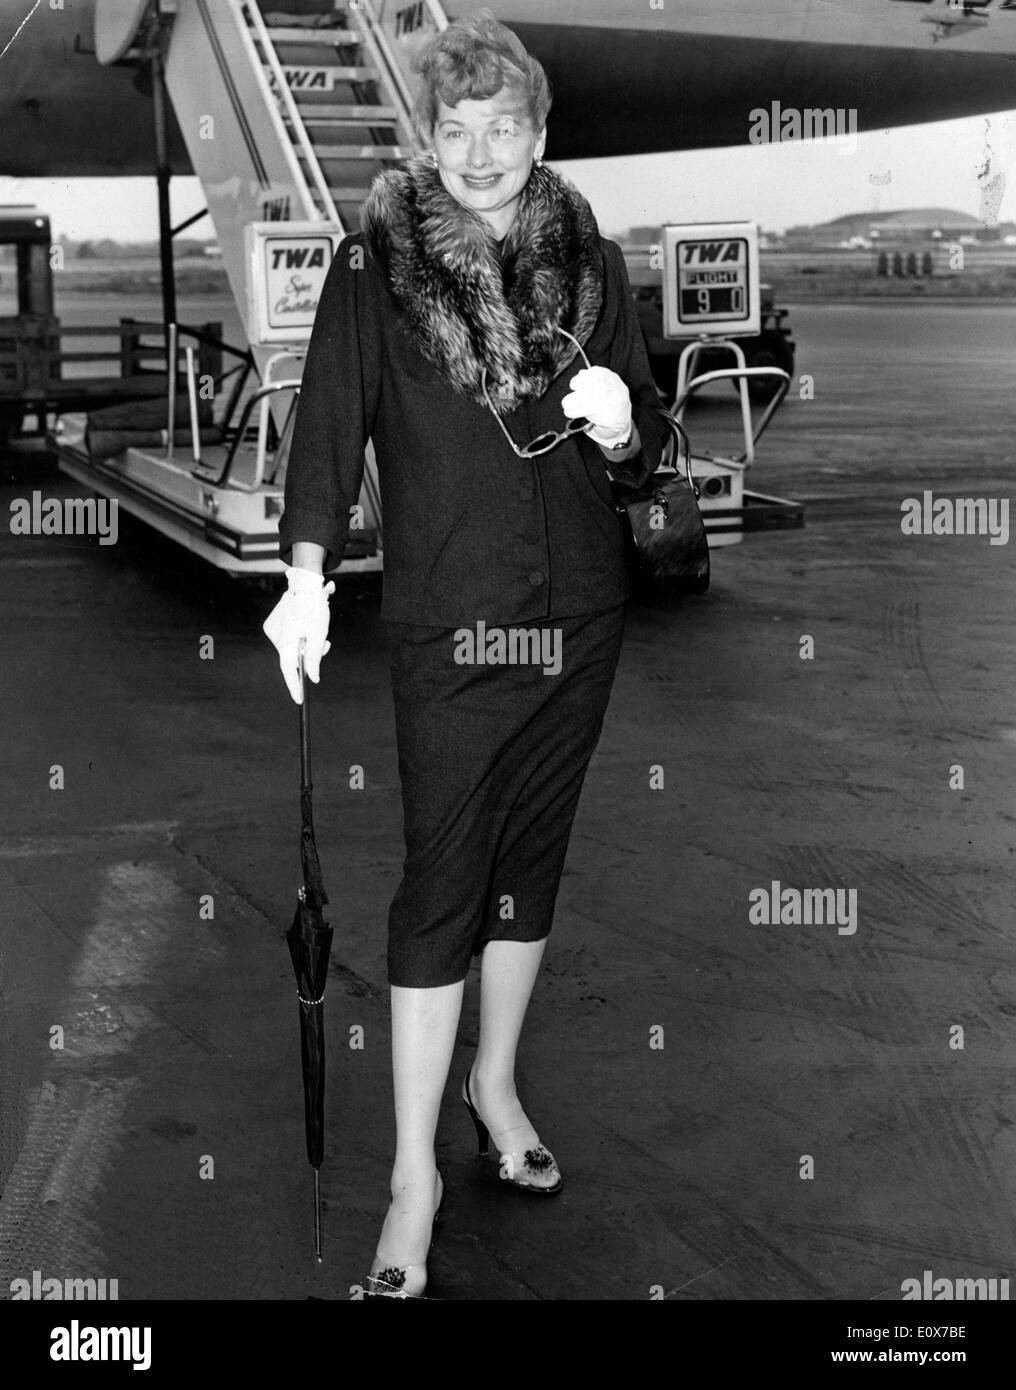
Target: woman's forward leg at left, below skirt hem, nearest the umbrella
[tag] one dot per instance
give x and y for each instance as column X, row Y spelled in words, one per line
column 425, row 1027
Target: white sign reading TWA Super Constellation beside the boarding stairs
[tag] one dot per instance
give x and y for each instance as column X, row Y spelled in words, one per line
column 288, row 268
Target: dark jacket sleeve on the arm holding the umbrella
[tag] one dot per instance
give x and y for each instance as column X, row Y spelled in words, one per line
column 337, row 412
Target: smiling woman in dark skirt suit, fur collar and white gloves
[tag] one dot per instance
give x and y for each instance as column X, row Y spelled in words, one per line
column 454, row 334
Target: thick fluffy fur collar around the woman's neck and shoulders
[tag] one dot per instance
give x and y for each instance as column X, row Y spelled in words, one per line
column 464, row 308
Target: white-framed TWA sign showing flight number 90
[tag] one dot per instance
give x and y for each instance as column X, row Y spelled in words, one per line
column 711, row 280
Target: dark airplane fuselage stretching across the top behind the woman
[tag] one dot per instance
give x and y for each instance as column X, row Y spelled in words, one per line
column 630, row 77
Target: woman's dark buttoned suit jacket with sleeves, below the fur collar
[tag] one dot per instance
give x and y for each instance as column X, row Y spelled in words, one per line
column 470, row 530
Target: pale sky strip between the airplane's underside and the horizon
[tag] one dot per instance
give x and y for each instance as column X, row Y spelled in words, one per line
column 967, row 165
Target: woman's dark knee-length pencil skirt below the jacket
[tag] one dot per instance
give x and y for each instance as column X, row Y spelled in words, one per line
column 493, row 757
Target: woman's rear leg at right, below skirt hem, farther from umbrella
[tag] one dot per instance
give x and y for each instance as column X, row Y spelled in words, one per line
column 508, row 975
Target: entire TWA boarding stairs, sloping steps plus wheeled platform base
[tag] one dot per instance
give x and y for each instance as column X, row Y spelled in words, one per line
column 287, row 117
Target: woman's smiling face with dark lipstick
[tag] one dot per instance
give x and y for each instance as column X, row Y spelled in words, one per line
column 486, row 152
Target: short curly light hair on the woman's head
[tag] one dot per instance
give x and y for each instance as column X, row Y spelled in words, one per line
column 473, row 60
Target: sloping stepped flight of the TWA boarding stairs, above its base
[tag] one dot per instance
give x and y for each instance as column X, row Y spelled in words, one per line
column 290, row 117
